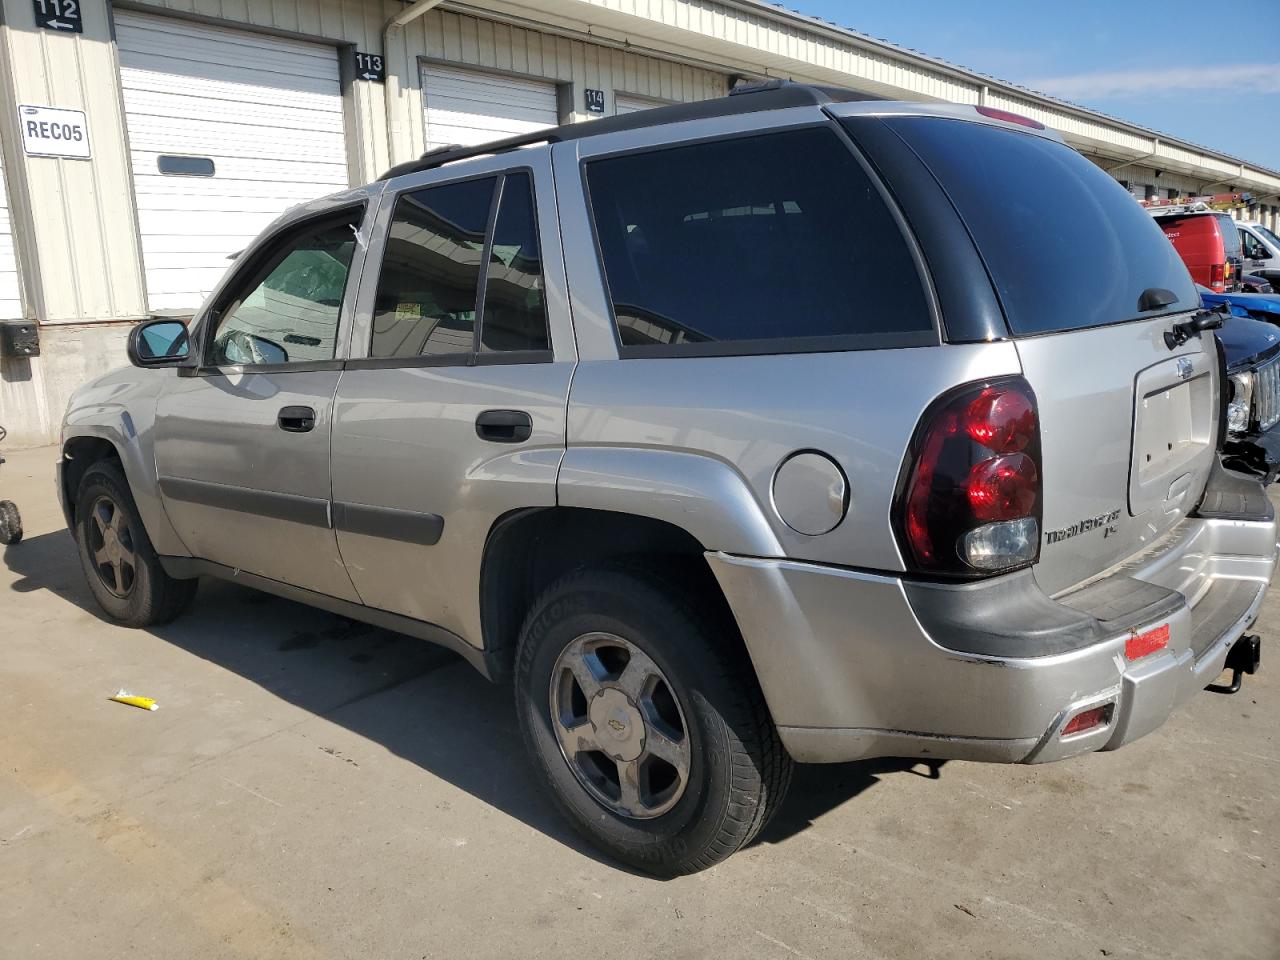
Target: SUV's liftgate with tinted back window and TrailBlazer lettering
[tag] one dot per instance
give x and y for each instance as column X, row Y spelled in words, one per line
column 1128, row 422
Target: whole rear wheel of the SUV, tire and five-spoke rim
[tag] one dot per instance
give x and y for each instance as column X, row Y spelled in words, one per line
column 646, row 720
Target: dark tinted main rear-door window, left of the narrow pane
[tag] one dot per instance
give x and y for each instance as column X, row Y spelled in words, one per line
column 427, row 292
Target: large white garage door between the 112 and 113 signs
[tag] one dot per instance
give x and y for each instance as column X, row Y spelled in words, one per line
column 267, row 112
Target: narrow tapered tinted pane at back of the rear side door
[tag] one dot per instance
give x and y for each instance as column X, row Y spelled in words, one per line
column 514, row 313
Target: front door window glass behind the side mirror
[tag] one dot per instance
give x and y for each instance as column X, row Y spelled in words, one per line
column 287, row 309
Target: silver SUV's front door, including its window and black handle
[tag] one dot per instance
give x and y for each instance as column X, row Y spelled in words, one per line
column 243, row 445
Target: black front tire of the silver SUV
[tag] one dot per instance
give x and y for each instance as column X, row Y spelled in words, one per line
column 145, row 597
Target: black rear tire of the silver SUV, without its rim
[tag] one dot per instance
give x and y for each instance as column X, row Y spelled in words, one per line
column 739, row 771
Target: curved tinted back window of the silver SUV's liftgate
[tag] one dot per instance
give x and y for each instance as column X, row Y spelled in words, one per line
column 1067, row 246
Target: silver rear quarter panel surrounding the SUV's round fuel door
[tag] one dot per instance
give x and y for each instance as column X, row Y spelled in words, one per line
column 749, row 415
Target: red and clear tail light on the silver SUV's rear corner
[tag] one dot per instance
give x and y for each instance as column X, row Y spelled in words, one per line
column 971, row 497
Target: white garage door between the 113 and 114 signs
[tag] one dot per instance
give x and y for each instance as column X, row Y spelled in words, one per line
column 469, row 107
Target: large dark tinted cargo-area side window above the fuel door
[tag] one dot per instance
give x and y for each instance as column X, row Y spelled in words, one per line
column 781, row 237
